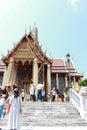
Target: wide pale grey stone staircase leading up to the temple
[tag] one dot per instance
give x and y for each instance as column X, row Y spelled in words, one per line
column 48, row 114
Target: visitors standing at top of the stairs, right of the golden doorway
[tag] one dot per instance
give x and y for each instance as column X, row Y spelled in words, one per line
column 41, row 94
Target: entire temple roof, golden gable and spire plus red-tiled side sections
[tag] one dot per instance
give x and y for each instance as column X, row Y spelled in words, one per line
column 29, row 45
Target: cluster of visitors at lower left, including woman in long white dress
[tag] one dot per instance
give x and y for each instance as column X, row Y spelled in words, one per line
column 12, row 104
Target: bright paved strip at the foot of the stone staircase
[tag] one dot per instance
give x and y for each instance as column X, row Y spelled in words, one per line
column 50, row 128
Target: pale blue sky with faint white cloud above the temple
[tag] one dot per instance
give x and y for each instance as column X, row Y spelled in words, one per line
column 62, row 27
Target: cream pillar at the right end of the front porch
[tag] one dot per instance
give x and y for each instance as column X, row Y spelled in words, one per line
column 49, row 78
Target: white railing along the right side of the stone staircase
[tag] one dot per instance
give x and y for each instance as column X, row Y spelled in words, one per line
column 80, row 102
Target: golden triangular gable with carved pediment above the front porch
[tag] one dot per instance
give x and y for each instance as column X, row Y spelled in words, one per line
column 28, row 48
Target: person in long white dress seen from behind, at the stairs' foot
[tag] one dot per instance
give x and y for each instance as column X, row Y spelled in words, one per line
column 14, row 113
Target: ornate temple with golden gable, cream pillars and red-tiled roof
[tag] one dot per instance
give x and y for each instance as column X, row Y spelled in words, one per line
column 27, row 61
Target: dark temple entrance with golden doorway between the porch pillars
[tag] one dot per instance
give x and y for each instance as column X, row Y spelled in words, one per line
column 24, row 76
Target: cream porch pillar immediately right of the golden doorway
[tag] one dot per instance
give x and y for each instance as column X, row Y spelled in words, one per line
column 35, row 73
